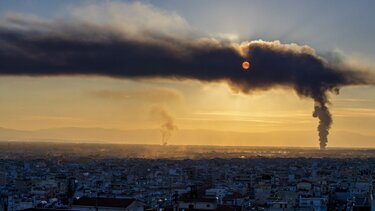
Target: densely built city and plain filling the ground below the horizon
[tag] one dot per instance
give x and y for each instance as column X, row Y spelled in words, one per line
column 57, row 176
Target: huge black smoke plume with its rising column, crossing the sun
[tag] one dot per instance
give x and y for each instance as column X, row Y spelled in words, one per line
column 79, row 49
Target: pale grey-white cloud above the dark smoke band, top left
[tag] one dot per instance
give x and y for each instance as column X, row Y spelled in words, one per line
column 136, row 21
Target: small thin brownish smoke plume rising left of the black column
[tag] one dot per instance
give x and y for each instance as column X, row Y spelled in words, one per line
column 167, row 127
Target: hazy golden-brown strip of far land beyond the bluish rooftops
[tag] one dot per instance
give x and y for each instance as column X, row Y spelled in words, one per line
column 99, row 151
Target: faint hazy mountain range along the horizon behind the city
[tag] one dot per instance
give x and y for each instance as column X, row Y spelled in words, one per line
column 187, row 137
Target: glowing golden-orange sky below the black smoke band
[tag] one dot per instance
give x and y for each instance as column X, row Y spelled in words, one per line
column 277, row 117
